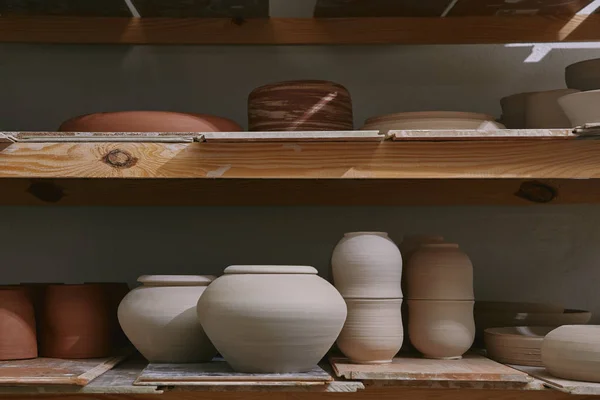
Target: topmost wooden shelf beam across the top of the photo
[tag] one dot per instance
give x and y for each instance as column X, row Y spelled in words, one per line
column 293, row 31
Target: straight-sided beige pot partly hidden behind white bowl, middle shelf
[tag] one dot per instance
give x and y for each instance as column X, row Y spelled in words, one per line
column 542, row 110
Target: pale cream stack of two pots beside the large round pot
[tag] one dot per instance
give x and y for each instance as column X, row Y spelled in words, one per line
column 367, row 271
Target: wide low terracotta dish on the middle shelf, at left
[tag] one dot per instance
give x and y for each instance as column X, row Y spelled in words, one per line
column 148, row 121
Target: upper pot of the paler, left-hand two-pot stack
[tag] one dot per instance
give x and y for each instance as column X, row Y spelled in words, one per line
column 367, row 265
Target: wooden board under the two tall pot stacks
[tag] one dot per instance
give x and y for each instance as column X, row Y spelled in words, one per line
column 471, row 368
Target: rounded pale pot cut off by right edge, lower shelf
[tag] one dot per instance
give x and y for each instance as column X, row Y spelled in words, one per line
column 573, row 352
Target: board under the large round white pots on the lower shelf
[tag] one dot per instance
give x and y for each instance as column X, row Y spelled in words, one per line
column 220, row 373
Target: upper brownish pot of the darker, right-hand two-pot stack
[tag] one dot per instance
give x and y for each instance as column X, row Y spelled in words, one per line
column 440, row 271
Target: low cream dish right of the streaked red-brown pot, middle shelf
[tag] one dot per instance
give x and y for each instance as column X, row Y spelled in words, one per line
column 432, row 120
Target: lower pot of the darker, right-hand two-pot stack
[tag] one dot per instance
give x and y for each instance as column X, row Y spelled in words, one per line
column 441, row 329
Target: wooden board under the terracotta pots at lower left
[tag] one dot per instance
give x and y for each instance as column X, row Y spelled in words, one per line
column 53, row 371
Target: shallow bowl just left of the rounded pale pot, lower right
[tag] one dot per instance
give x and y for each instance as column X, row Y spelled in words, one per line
column 519, row 345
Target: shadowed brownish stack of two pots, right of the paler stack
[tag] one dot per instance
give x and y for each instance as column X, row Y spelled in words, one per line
column 439, row 285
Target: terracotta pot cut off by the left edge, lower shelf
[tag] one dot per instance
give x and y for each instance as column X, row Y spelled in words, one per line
column 17, row 324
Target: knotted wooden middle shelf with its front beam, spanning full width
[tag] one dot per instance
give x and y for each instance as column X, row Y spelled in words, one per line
column 418, row 169
